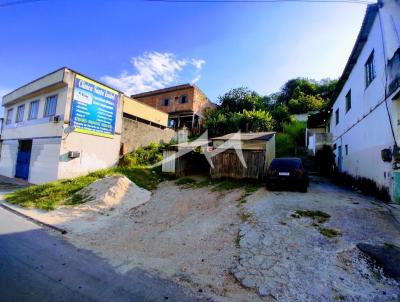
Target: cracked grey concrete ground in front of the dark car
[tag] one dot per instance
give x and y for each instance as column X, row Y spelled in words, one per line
column 287, row 258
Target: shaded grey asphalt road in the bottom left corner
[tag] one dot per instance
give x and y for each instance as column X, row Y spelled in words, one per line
column 37, row 266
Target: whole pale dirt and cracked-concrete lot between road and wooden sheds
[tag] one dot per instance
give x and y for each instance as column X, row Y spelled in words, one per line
column 192, row 237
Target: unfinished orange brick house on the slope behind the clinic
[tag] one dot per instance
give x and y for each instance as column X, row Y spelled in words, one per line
column 185, row 105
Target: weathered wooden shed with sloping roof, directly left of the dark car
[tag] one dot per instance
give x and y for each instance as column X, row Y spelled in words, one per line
column 258, row 150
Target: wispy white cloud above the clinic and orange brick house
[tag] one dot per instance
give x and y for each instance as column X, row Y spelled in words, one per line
column 155, row 70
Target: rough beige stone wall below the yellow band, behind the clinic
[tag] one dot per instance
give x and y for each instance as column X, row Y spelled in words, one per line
column 136, row 134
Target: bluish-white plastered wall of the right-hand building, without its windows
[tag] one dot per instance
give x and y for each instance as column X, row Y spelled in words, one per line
column 365, row 129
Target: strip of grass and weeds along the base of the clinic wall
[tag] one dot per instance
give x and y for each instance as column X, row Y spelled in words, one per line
column 65, row 192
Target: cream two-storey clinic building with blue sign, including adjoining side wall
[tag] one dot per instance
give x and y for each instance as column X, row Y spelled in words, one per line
column 64, row 125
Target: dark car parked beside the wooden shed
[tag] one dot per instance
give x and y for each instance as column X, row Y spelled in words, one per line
column 287, row 171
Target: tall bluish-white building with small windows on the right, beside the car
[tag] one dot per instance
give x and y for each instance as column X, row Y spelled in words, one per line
column 365, row 116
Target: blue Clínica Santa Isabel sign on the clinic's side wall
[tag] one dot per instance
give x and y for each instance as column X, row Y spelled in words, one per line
column 94, row 108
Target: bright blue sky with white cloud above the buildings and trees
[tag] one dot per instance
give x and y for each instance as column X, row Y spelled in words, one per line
column 137, row 46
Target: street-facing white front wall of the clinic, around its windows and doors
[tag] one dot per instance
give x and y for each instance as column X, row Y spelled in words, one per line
column 45, row 135
